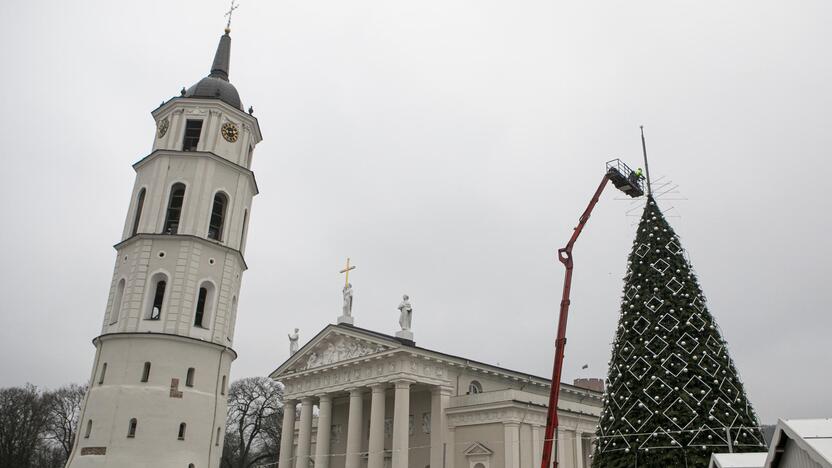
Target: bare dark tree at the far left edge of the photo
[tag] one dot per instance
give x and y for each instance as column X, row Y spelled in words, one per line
column 23, row 418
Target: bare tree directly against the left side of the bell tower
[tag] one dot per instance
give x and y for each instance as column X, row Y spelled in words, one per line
column 64, row 409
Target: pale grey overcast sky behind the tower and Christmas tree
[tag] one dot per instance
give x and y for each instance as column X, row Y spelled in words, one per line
column 448, row 147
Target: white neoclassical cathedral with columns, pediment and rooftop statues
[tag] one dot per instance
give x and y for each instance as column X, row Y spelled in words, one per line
column 384, row 402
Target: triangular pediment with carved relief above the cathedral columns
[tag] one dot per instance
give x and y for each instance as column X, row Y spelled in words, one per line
column 332, row 346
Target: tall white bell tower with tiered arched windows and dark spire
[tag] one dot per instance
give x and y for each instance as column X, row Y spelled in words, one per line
column 157, row 394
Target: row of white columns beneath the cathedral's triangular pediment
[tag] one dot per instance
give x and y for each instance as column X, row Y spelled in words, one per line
column 355, row 436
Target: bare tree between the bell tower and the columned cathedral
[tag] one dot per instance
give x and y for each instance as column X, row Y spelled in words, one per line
column 255, row 411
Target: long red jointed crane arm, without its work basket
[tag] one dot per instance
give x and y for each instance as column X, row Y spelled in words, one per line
column 565, row 257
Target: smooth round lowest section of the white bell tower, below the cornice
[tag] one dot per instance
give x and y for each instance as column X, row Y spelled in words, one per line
column 135, row 409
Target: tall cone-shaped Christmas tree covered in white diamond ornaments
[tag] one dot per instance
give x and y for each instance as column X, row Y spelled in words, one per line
column 673, row 394
